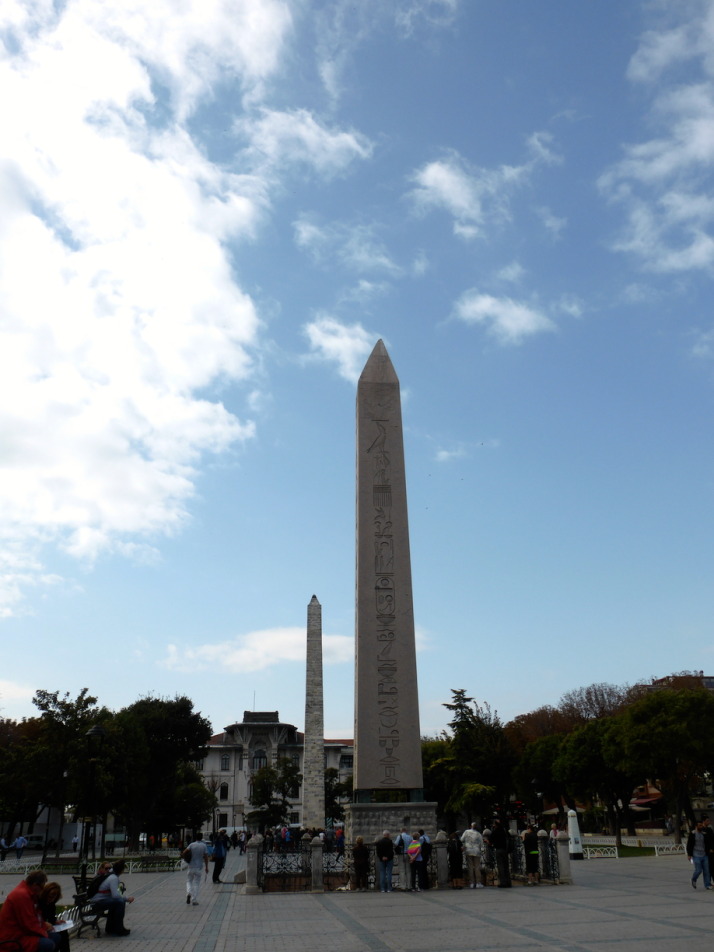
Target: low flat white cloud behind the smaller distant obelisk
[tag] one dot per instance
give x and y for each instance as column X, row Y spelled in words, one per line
column 257, row 651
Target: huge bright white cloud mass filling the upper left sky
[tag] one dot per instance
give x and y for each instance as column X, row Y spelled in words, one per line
column 120, row 309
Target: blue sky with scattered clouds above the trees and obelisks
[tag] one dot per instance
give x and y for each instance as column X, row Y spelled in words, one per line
column 210, row 214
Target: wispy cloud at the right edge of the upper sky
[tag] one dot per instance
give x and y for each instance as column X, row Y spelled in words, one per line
column 663, row 184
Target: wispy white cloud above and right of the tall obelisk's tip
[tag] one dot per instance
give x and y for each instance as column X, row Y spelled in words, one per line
column 473, row 196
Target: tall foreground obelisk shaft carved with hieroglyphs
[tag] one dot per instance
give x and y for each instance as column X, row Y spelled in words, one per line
column 387, row 737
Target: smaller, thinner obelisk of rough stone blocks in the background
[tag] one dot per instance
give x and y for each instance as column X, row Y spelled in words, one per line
column 313, row 769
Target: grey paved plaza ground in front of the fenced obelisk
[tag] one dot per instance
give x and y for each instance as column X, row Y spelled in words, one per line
column 616, row 905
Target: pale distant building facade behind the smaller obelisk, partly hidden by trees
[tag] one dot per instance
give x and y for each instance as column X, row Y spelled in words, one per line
column 259, row 740
